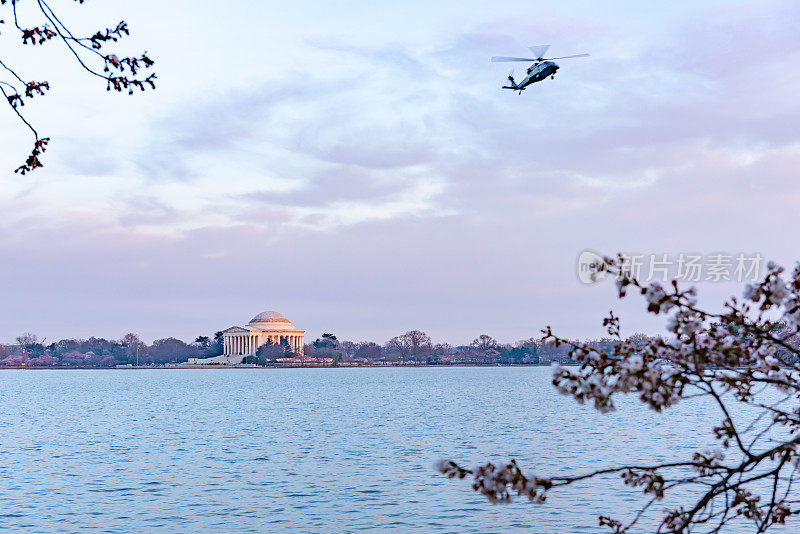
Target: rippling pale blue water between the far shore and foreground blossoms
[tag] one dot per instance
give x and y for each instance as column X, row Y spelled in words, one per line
column 309, row 450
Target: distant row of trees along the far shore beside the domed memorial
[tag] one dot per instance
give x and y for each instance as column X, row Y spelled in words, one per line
column 411, row 348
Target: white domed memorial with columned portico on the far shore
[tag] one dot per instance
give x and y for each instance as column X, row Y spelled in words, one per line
column 242, row 341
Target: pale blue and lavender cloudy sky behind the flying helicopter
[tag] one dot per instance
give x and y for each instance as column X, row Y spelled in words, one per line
column 356, row 166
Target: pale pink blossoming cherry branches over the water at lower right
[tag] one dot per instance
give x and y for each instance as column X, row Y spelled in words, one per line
column 729, row 359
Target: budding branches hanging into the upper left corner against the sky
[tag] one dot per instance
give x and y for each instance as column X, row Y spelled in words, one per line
column 119, row 73
